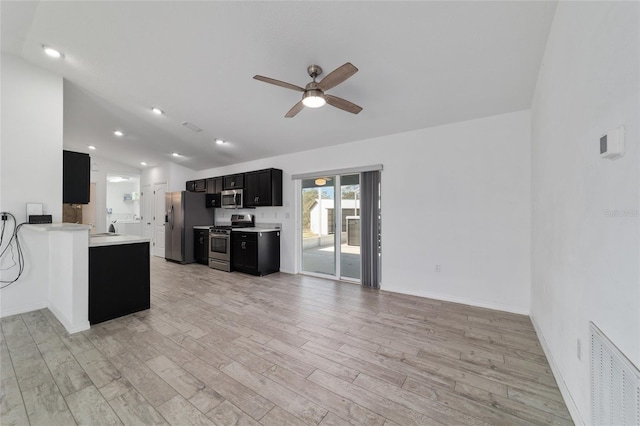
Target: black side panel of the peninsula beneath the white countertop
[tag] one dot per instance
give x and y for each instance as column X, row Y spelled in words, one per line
column 119, row 281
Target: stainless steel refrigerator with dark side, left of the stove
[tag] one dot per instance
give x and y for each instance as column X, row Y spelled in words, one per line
column 184, row 210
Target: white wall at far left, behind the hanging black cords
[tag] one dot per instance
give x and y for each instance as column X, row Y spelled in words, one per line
column 30, row 169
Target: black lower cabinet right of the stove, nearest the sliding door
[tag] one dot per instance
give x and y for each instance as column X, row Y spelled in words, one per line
column 256, row 253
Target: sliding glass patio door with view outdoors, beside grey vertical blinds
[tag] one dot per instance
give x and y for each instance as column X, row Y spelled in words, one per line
column 330, row 207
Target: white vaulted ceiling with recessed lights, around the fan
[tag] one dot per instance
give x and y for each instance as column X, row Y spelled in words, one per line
column 421, row 64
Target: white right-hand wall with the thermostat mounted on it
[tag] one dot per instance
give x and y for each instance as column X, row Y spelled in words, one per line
column 585, row 260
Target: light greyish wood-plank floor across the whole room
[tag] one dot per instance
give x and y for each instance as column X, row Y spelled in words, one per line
column 232, row 349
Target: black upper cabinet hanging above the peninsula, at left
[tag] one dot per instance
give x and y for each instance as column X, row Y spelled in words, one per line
column 76, row 175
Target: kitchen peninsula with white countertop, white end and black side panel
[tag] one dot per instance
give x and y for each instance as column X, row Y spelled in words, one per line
column 112, row 270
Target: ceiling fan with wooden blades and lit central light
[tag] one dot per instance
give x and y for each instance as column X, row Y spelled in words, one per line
column 313, row 94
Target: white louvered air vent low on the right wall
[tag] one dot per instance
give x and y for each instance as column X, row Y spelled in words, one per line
column 615, row 383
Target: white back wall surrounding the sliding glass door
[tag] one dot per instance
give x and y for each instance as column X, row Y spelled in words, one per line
column 468, row 187
